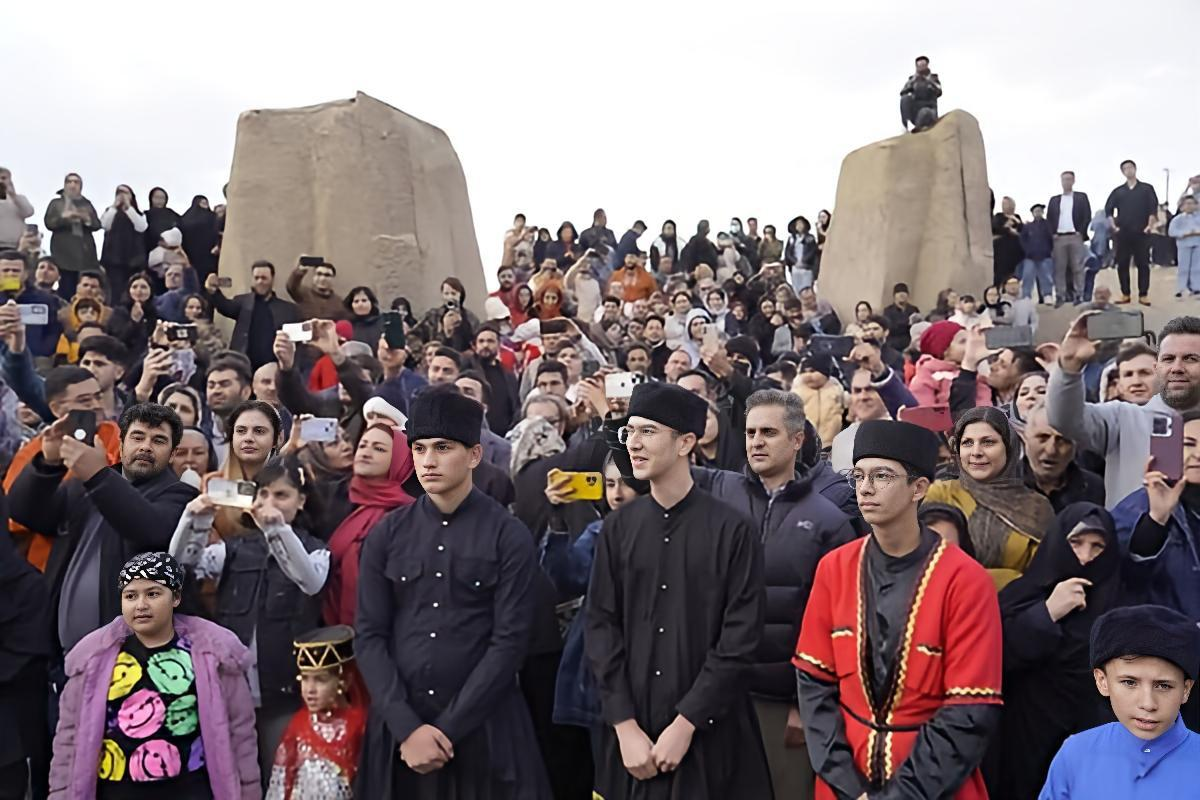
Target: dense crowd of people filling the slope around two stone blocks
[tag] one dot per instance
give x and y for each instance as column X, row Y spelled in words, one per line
column 649, row 521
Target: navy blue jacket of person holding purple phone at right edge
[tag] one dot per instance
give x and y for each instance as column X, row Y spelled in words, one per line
column 1169, row 579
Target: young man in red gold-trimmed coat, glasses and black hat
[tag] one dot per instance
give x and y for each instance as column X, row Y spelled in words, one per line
column 899, row 655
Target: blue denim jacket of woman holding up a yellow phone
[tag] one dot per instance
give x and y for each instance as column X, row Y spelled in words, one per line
column 569, row 567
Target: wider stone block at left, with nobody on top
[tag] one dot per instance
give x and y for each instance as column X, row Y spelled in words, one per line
column 377, row 193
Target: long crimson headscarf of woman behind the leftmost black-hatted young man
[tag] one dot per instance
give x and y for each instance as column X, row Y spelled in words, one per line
column 373, row 498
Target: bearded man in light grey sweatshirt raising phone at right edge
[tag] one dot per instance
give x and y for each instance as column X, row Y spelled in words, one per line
column 1118, row 430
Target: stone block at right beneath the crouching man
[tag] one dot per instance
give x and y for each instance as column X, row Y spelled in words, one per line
column 913, row 209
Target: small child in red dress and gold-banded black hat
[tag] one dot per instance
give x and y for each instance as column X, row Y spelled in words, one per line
column 319, row 756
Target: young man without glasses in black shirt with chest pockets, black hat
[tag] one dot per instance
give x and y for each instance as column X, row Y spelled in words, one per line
column 446, row 607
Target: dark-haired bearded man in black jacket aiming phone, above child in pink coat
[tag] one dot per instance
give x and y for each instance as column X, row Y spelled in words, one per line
column 109, row 515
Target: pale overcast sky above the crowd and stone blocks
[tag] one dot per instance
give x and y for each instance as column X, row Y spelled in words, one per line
column 650, row 110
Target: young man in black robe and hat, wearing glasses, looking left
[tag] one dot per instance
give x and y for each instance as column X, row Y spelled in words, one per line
column 675, row 616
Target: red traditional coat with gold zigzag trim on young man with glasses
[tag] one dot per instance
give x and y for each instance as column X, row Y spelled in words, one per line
column 950, row 654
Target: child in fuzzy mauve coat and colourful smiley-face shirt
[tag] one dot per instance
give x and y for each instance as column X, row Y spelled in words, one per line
column 157, row 705
